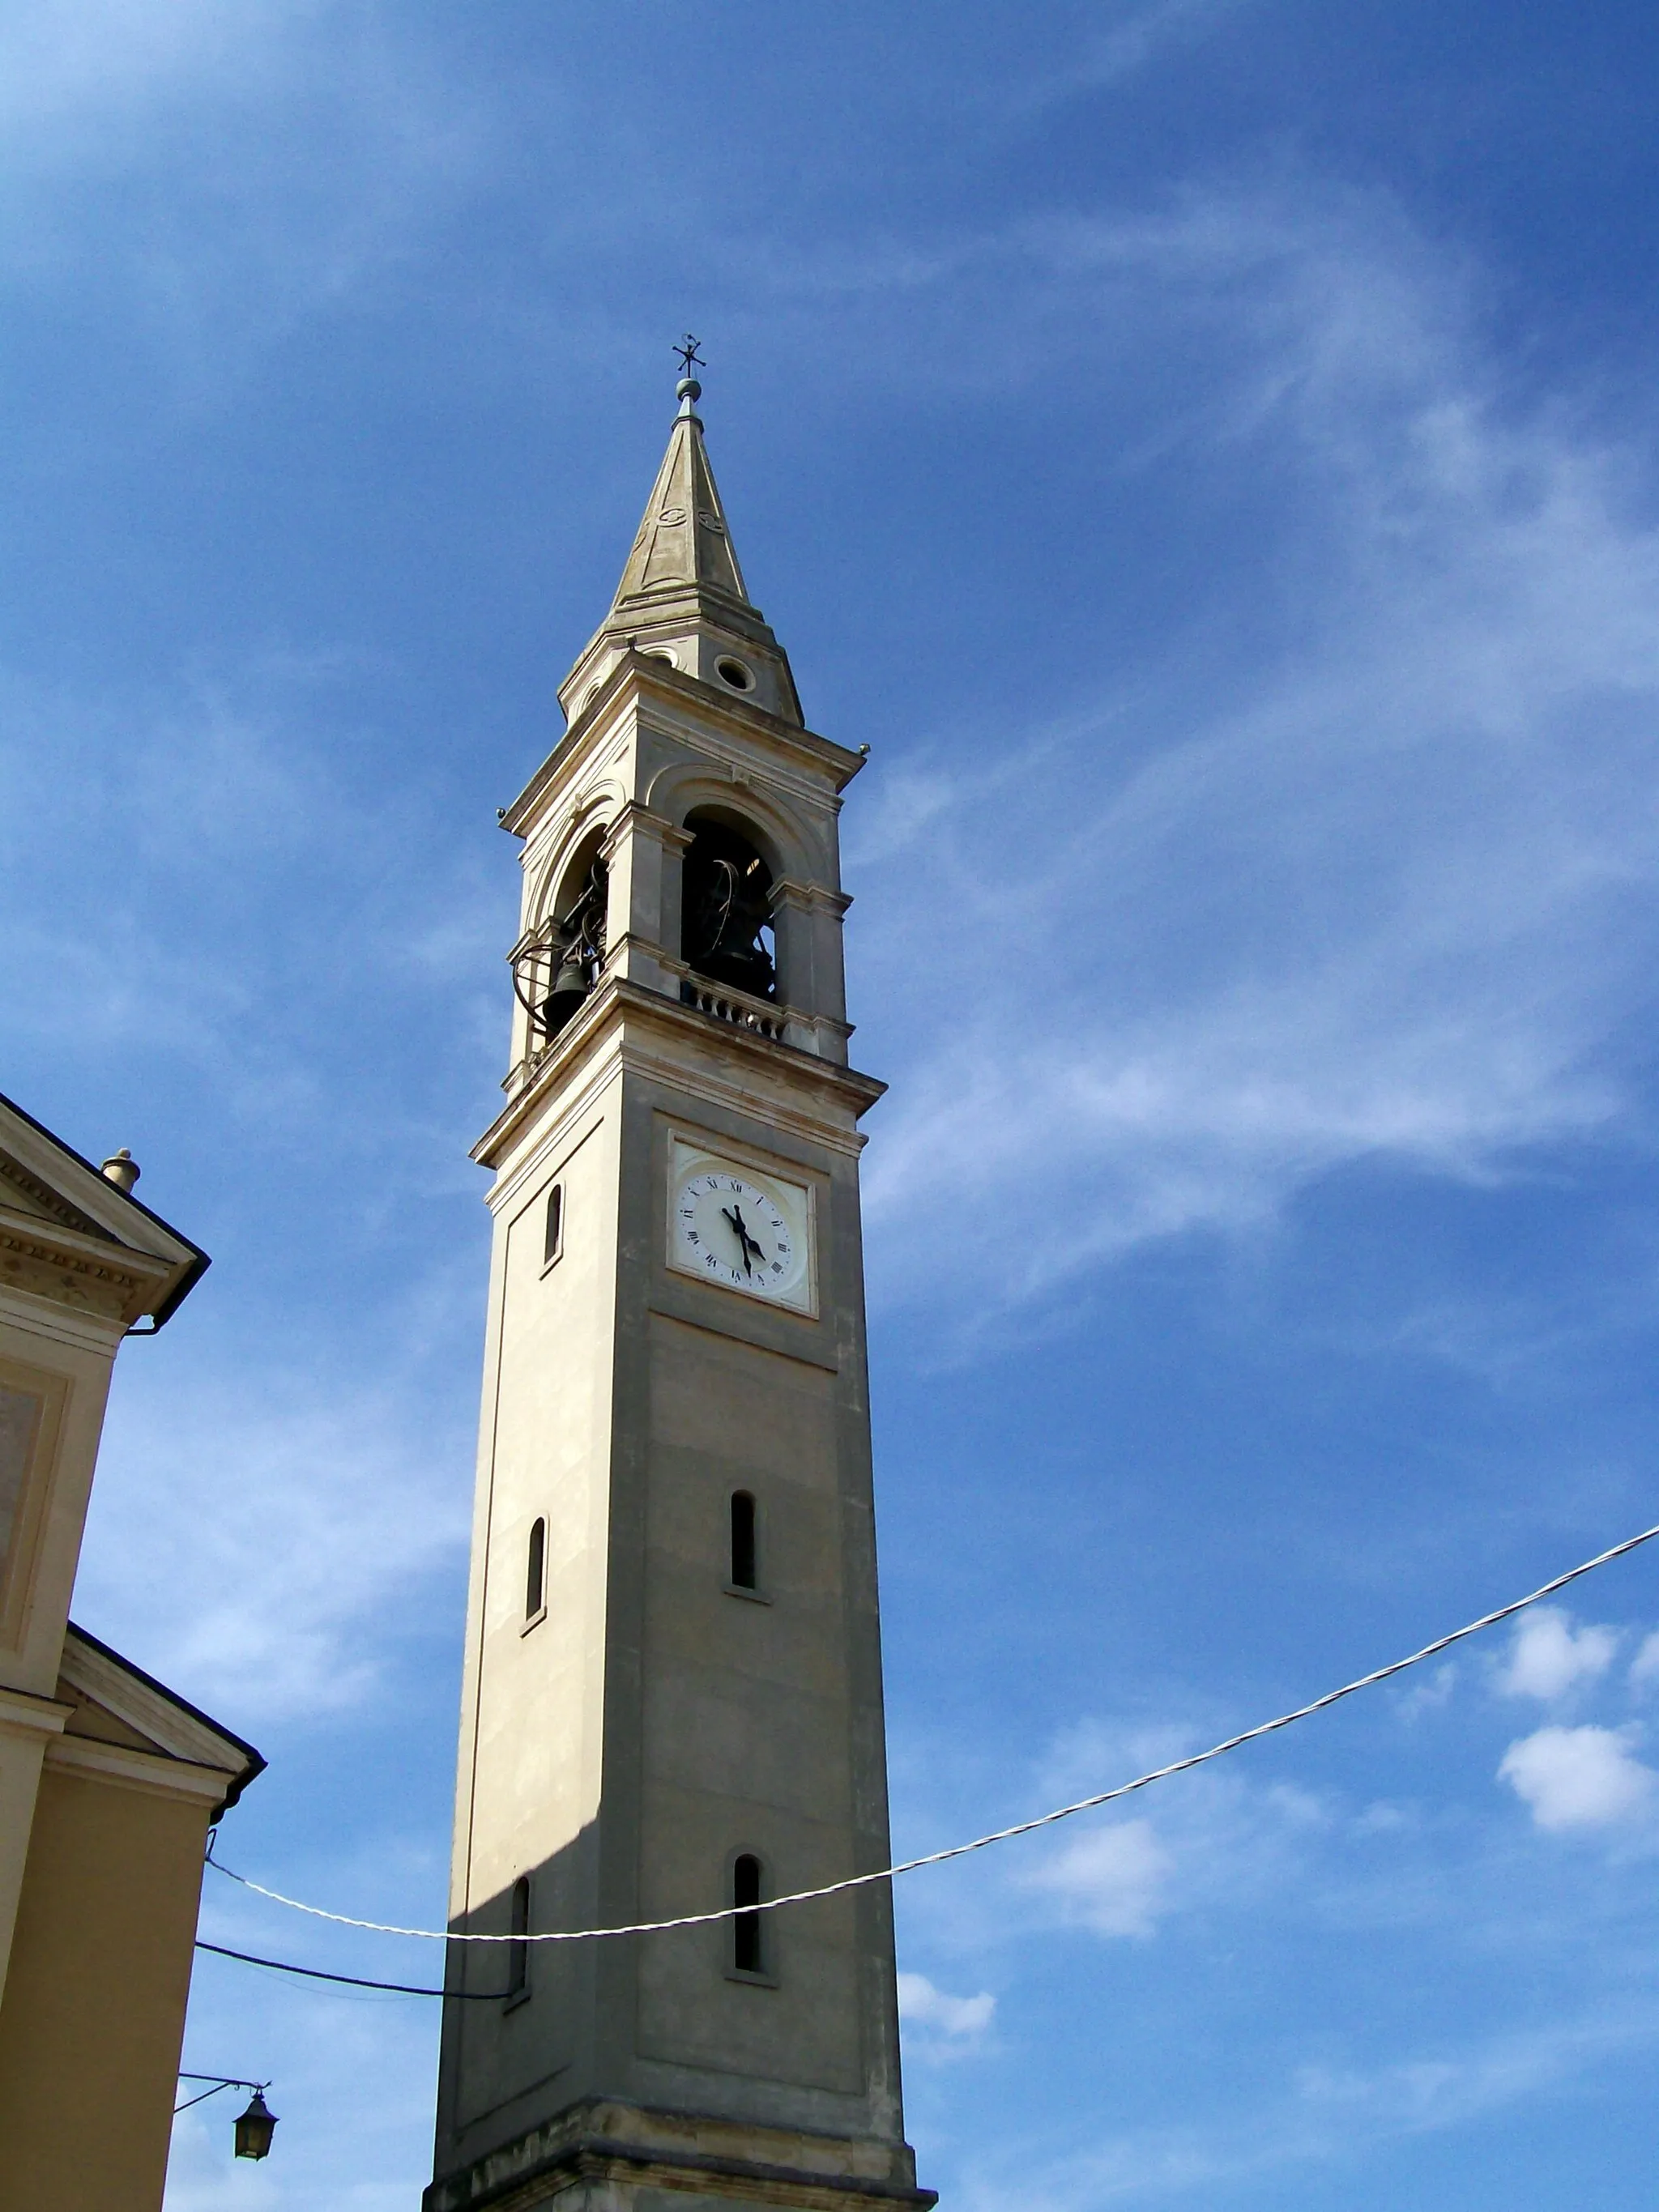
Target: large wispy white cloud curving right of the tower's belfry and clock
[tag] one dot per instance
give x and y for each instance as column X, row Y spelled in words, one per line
column 1388, row 895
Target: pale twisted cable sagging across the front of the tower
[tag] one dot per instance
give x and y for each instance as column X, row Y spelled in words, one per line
column 999, row 1835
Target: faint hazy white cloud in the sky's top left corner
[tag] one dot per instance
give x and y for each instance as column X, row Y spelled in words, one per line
column 227, row 171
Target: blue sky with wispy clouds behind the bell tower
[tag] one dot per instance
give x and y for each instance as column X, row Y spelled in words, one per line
column 1207, row 450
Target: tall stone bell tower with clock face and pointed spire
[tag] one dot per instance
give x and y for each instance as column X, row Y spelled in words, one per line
column 674, row 1660
